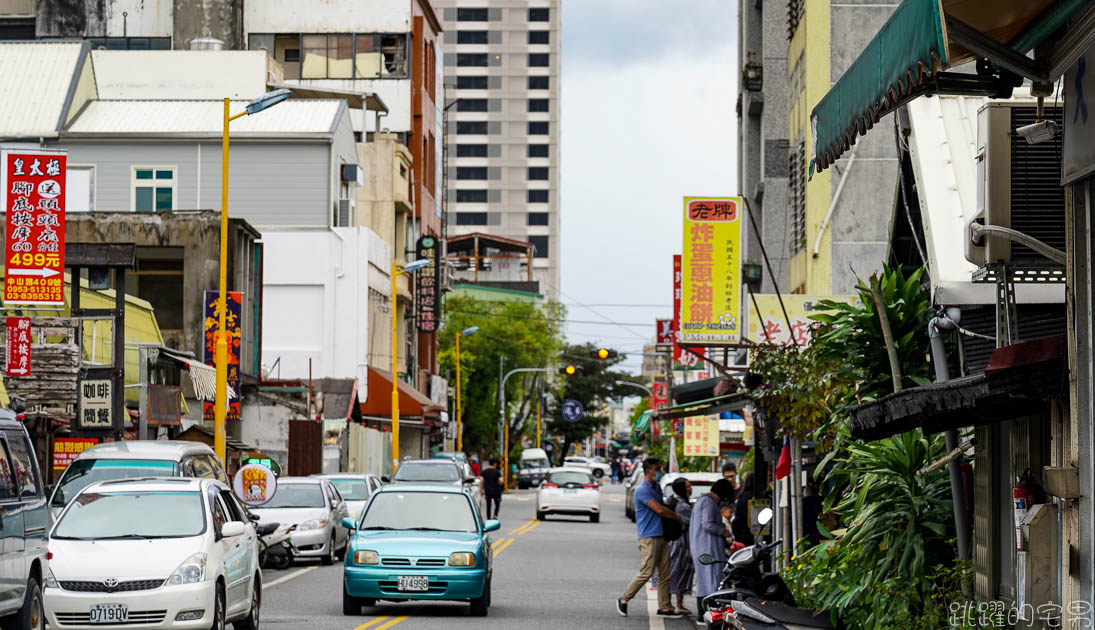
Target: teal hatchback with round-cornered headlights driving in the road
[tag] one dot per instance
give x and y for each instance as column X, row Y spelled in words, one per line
column 419, row 543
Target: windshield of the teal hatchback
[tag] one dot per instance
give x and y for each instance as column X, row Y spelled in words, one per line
column 420, row 511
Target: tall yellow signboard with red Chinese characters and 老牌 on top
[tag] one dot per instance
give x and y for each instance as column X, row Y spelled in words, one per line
column 711, row 278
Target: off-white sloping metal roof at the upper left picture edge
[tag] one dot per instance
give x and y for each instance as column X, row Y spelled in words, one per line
column 34, row 84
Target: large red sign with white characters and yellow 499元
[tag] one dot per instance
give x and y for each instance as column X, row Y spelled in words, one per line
column 32, row 193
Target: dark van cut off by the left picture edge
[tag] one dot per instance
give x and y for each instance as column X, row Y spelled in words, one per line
column 25, row 521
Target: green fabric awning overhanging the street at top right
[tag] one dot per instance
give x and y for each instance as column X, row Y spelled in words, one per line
column 908, row 55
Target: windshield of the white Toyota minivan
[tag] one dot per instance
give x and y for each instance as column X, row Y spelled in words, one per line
column 99, row 516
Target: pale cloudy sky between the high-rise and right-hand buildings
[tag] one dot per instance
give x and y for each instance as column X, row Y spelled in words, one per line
column 649, row 95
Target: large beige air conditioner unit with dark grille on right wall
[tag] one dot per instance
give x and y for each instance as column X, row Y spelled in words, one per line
column 1019, row 185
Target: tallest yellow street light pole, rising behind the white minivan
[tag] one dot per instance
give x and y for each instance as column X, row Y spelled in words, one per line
column 221, row 358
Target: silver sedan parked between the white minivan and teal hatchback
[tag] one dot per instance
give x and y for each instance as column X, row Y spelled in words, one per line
column 316, row 508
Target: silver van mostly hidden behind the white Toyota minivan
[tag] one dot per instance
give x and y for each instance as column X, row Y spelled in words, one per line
column 134, row 460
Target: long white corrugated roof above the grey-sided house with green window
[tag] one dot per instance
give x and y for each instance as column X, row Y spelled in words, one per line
column 205, row 118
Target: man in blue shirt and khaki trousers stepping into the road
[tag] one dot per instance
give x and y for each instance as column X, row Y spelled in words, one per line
column 654, row 552
